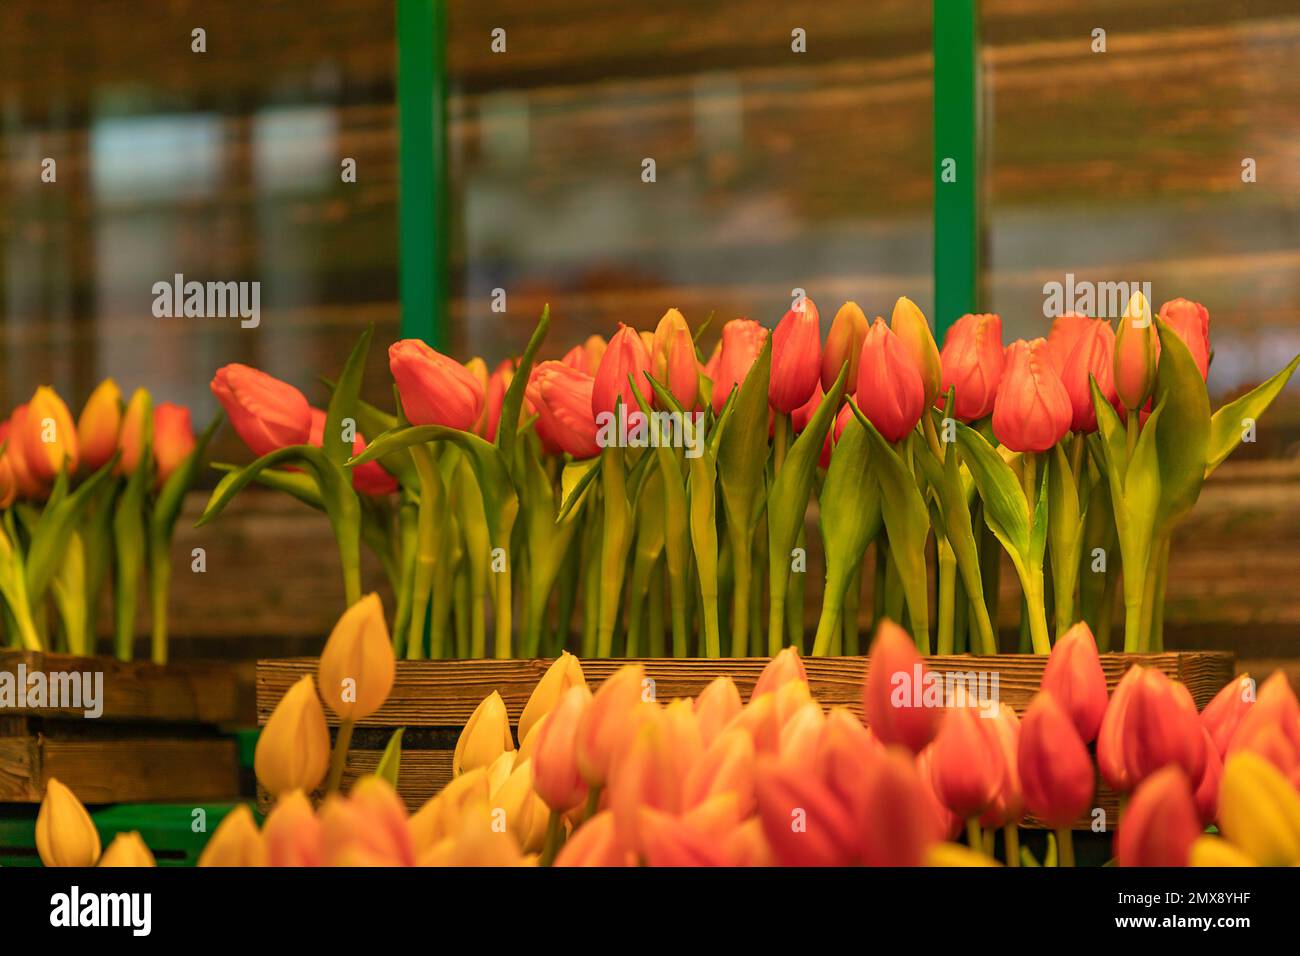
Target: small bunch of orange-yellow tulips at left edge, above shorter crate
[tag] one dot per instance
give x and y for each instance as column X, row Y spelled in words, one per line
column 86, row 504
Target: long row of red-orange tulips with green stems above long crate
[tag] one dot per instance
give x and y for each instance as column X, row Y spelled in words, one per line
column 638, row 477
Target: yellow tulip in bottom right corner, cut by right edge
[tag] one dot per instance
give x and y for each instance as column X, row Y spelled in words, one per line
column 1260, row 811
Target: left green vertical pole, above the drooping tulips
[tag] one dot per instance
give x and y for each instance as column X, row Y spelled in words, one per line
column 423, row 171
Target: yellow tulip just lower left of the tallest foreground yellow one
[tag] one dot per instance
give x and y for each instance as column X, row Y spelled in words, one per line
column 293, row 749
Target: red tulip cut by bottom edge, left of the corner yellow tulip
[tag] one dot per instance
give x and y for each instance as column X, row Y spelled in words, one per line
column 1160, row 825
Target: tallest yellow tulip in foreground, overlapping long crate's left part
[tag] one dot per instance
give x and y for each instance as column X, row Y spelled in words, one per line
column 358, row 667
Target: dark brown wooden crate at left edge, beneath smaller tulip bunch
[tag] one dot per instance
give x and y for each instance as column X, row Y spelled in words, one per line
column 159, row 737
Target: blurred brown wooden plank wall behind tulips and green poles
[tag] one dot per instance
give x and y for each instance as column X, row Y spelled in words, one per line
column 774, row 171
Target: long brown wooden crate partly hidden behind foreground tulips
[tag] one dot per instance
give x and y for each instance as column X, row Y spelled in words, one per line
column 434, row 699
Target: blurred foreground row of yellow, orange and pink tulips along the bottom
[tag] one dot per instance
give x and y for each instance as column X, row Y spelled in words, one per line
column 618, row 778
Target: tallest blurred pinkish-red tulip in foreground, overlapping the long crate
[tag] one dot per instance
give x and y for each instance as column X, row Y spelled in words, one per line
column 892, row 699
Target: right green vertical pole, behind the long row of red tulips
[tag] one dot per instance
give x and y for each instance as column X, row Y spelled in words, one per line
column 957, row 176
